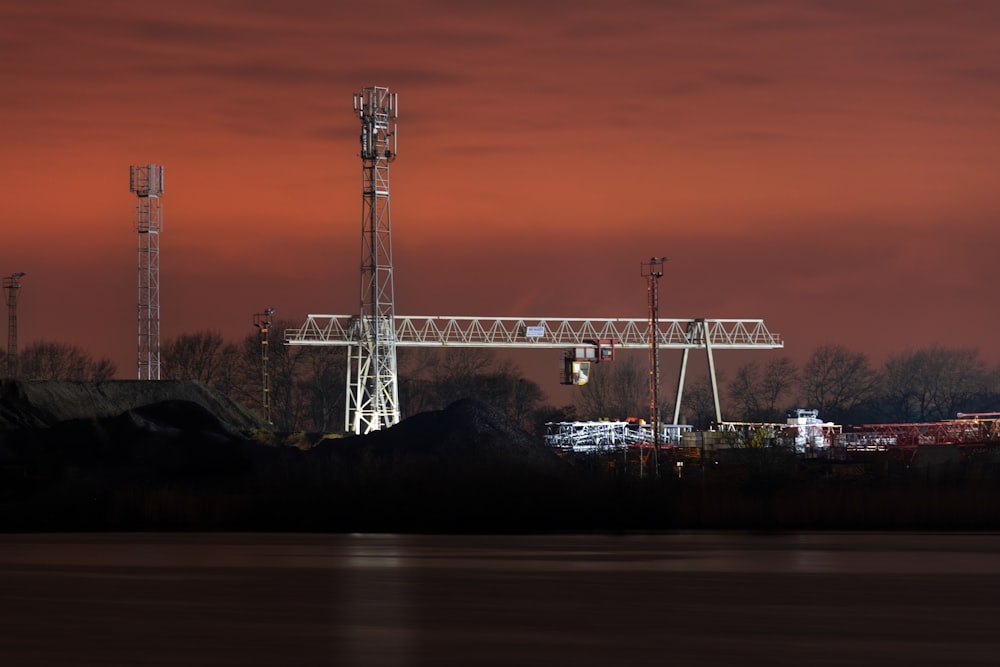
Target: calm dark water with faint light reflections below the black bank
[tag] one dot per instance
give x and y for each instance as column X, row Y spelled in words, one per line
column 686, row 599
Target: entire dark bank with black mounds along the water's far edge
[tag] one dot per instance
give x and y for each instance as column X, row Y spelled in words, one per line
column 174, row 456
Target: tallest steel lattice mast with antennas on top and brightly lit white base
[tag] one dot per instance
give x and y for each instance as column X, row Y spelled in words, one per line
column 373, row 394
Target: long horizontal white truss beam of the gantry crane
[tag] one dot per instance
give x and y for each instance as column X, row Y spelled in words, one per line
column 517, row 332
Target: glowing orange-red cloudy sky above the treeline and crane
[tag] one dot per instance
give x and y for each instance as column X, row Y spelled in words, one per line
column 829, row 167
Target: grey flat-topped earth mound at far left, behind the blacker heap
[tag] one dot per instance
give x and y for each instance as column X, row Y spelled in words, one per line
column 45, row 403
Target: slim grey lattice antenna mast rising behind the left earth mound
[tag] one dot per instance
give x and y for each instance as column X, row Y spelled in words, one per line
column 147, row 183
